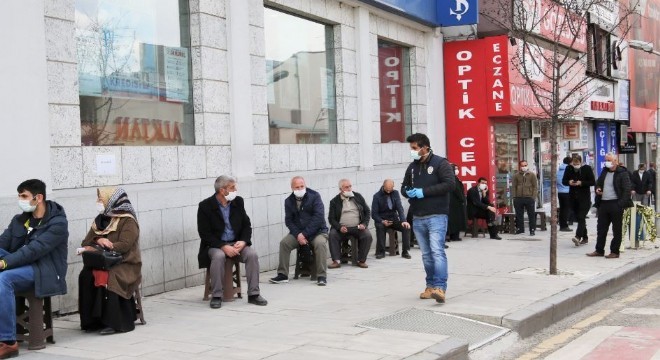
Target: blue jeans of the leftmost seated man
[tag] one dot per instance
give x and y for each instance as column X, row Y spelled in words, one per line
column 12, row 281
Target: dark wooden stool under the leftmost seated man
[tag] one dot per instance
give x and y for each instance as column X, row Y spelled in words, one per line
column 34, row 321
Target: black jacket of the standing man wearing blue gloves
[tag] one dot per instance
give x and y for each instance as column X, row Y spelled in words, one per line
column 436, row 178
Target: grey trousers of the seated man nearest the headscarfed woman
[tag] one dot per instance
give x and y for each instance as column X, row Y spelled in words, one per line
column 217, row 269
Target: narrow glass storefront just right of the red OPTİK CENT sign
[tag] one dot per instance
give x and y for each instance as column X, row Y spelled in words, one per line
column 506, row 160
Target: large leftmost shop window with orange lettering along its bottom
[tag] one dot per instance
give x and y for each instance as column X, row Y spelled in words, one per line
column 134, row 72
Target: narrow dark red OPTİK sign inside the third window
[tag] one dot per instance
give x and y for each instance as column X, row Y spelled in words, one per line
column 392, row 119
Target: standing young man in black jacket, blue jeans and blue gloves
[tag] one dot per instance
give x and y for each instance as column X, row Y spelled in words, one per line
column 427, row 183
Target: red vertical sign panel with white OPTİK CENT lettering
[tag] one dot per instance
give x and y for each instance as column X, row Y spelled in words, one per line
column 468, row 129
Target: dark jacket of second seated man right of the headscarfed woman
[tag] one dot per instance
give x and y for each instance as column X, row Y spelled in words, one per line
column 309, row 219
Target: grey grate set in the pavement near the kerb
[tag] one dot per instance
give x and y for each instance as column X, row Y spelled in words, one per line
column 476, row 333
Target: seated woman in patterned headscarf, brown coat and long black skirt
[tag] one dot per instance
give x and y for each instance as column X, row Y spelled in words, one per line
column 106, row 299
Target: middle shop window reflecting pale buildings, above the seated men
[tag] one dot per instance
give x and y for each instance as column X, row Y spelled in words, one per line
column 300, row 76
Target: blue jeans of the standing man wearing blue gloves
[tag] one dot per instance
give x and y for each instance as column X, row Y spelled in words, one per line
column 430, row 232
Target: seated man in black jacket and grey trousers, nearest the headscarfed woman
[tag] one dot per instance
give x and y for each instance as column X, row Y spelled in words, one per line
column 225, row 231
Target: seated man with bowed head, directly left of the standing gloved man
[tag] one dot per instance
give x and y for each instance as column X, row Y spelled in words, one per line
column 387, row 212
